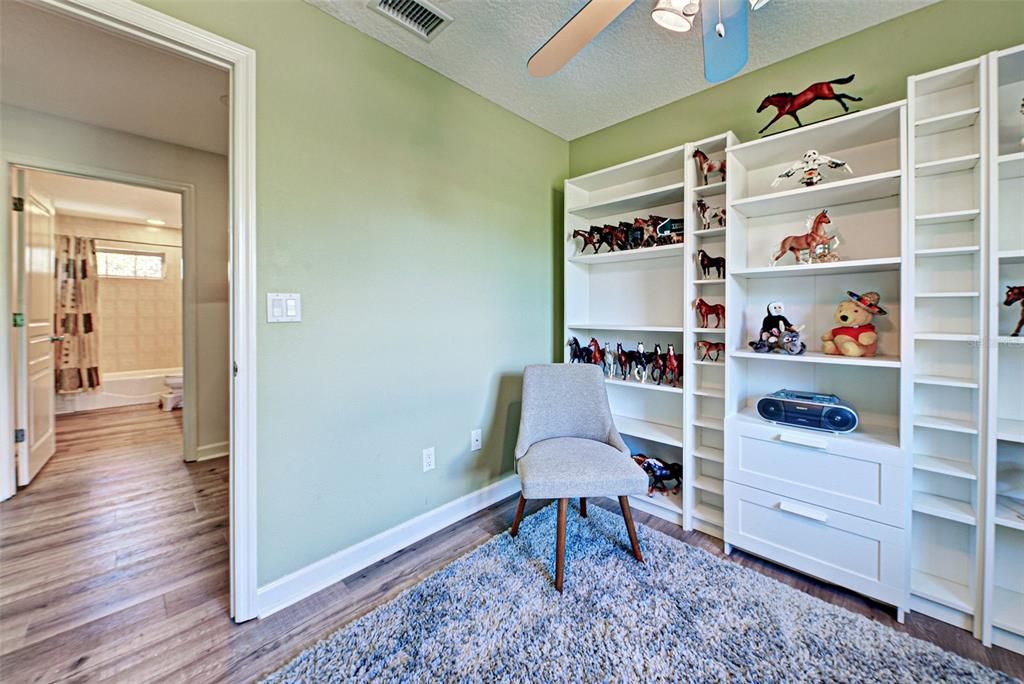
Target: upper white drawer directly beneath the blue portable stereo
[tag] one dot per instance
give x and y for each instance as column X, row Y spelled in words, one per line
column 820, row 468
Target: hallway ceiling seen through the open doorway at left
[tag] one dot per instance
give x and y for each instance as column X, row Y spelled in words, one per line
column 56, row 65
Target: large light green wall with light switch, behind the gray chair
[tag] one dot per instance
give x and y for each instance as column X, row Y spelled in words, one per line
column 416, row 219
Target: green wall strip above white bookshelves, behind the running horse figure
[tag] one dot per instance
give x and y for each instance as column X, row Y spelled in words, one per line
column 881, row 57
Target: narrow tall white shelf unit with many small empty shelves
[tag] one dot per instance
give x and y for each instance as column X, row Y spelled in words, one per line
column 949, row 235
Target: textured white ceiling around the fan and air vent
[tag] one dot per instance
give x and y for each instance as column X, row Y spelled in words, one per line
column 633, row 67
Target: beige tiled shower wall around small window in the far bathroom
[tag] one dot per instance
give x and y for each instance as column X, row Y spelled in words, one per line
column 140, row 320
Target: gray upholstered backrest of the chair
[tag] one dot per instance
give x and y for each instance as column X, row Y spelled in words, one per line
column 565, row 401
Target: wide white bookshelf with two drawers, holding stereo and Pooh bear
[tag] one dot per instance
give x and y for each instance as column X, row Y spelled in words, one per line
column 787, row 487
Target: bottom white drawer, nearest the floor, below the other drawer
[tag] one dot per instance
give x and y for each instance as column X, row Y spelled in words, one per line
column 865, row 557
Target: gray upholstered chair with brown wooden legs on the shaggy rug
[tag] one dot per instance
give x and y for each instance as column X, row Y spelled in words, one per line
column 569, row 447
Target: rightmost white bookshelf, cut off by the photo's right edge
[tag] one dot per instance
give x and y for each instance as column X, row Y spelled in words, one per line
column 1003, row 478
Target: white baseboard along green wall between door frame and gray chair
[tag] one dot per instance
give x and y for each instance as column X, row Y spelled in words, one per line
column 312, row 579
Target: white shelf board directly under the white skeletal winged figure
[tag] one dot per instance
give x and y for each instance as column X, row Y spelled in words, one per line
column 865, row 189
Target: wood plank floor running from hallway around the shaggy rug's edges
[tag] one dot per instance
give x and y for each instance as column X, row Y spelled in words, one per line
column 114, row 568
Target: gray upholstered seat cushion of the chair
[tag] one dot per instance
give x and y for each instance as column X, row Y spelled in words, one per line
column 568, row 467
